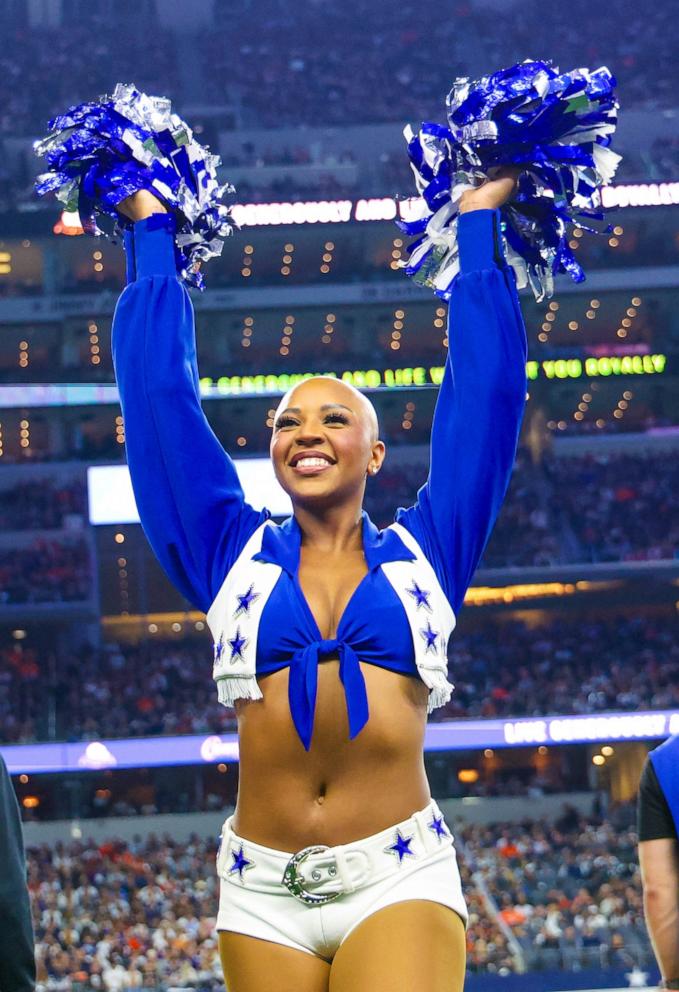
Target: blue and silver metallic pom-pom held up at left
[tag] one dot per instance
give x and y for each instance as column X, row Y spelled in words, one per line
column 99, row 153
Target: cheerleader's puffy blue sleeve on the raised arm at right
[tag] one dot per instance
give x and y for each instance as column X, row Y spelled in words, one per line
column 478, row 412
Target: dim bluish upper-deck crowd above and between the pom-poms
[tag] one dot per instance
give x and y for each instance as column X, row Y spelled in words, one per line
column 316, row 65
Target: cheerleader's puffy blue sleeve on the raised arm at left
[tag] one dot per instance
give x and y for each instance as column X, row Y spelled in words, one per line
column 189, row 498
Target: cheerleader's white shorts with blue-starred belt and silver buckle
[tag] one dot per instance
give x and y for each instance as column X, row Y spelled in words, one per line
column 314, row 899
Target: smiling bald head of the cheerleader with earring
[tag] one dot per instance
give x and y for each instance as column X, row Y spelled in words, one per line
column 324, row 443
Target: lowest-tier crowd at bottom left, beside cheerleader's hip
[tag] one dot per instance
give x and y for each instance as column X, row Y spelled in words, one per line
column 118, row 916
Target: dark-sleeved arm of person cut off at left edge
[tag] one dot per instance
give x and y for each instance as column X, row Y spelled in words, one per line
column 17, row 949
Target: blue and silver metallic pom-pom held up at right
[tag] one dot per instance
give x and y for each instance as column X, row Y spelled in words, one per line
column 558, row 127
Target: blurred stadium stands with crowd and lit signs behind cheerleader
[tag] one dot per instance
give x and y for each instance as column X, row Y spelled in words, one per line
column 565, row 659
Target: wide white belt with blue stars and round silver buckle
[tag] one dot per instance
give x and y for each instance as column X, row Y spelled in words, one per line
column 318, row 874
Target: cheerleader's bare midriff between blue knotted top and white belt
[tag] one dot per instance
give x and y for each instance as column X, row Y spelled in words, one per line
column 340, row 790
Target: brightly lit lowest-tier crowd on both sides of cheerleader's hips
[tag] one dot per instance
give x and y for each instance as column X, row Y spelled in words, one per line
column 120, row 915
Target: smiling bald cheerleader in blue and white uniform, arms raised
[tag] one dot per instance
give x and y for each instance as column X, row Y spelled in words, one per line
column 337, row 869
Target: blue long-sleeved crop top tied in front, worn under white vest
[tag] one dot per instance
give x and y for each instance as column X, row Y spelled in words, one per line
column 191, row 503
